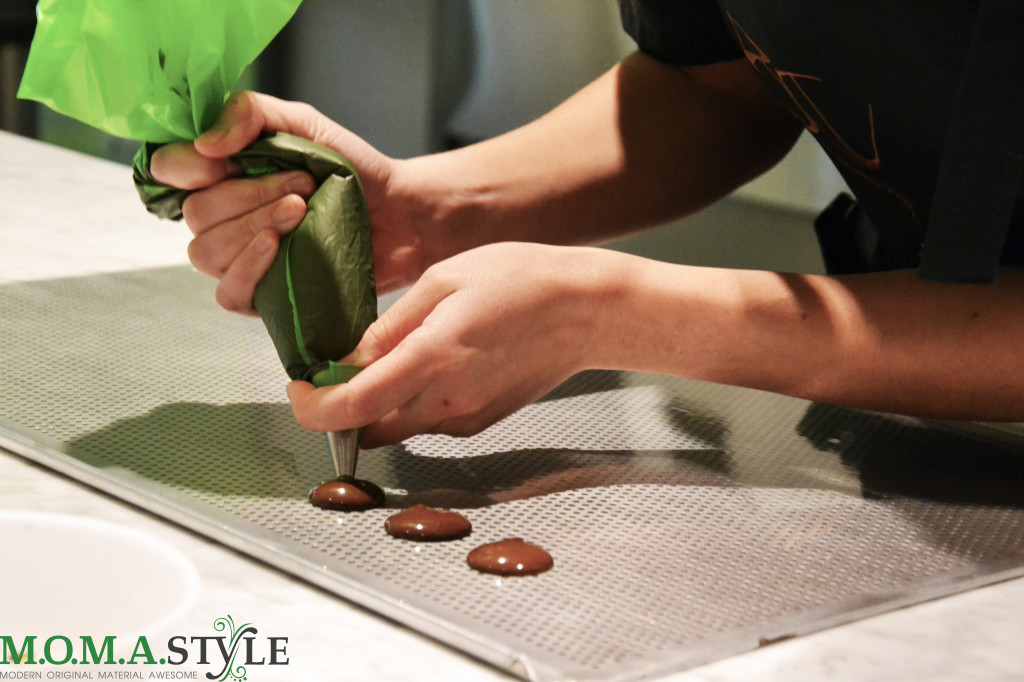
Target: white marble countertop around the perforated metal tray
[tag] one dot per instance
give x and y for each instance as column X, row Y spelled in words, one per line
column 96, row 224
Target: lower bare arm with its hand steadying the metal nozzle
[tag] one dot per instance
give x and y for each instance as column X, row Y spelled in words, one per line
column 487, row 332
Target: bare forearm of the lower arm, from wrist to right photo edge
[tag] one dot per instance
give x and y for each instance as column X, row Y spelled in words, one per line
column 887, row 342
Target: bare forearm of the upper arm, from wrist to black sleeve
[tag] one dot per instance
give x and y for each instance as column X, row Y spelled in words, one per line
column 643, row 145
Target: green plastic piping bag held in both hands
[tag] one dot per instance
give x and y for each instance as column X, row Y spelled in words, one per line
column 160, row 71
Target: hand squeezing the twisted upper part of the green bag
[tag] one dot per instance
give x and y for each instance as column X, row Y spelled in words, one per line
column 237, row 222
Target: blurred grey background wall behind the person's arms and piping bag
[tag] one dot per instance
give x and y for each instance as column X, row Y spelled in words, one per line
column 419, row 76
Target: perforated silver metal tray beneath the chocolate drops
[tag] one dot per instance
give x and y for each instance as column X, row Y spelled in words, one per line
column 688, row 522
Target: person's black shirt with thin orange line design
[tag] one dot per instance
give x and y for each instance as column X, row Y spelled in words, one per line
column 873, row 80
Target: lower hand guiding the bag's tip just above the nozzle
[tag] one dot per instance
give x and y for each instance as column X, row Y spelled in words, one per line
column 480, row 336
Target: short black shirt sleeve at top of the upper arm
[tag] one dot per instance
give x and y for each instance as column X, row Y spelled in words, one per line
column 686, row 33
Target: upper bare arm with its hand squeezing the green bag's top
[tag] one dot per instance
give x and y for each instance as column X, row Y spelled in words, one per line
column 644, row 144
